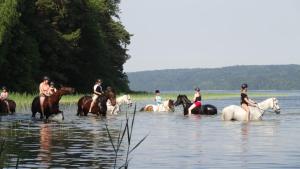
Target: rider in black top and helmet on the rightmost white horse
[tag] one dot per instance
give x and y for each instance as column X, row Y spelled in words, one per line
column 246, row 101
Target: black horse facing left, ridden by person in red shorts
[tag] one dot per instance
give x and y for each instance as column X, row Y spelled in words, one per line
column 206, row 109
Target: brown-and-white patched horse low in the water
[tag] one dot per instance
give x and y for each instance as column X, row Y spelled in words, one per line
column 166, row 106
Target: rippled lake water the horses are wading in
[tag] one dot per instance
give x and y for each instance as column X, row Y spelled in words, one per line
column 173, row 141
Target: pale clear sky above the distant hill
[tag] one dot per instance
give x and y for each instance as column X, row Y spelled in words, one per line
column 171, row 34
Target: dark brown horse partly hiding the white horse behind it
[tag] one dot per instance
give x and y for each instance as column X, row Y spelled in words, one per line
column 100, row 106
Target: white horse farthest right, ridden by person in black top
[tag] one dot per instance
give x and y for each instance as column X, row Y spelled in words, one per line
column 234, row 112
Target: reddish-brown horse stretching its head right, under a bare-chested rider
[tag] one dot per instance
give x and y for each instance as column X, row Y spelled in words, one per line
column 51, row 103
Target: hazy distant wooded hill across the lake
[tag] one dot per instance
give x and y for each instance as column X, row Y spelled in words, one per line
column 272, row 77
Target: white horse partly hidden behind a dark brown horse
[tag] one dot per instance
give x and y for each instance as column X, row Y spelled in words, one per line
column 125, row 99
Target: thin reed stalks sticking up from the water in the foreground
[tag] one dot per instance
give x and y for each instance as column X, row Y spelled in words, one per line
column 124, row 132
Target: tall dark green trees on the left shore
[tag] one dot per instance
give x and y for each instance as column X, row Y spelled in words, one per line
column 72, row 41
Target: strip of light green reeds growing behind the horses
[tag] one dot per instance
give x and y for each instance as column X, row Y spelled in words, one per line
column 25, row 99
